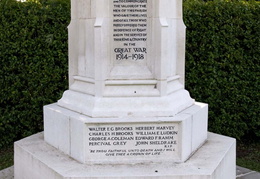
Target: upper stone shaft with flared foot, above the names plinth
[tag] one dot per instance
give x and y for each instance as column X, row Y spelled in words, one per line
column 126, row 58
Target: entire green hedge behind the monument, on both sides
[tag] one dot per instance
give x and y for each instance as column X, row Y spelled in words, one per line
column 222, row 63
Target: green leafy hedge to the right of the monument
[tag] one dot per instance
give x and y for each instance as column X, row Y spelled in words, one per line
column 223, row 63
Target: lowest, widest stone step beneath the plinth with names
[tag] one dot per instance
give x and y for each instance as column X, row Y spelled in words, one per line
column 34, row 158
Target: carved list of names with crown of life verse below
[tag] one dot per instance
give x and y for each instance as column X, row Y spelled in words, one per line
column 135, row 140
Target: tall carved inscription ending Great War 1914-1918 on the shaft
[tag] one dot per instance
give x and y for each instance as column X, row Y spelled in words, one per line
column 129, row 29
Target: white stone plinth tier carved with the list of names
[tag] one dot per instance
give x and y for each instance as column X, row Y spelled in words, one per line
column 126, row 140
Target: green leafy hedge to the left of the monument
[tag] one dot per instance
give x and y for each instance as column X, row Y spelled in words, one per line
column 33, row 63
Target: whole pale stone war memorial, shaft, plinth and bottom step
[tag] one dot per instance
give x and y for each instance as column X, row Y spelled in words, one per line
column 126, row 113
